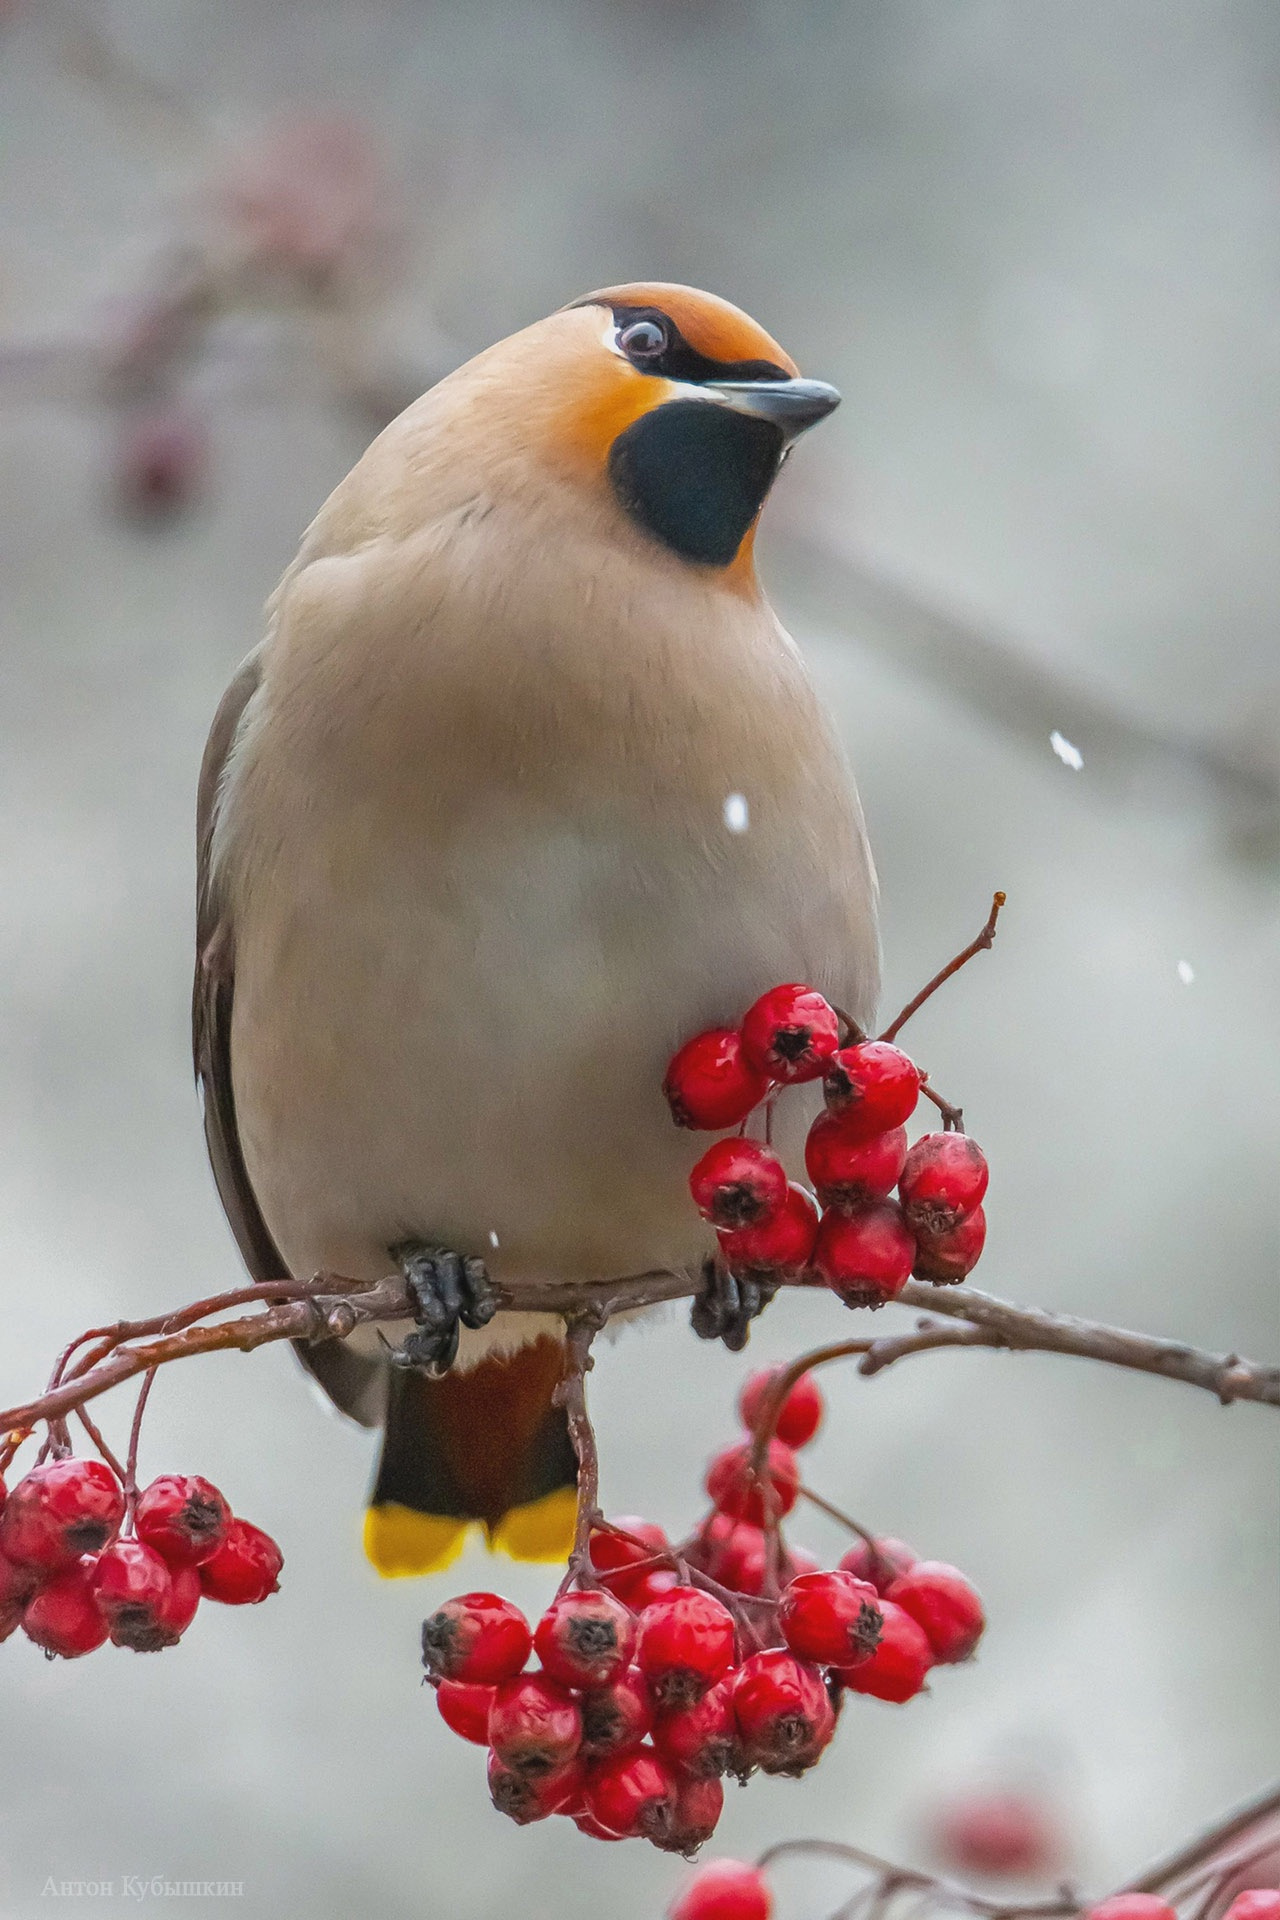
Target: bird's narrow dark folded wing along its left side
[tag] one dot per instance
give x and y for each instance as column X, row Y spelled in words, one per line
column 352, row 1381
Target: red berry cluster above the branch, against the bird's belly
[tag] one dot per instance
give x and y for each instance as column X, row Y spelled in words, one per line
column 855, row 1237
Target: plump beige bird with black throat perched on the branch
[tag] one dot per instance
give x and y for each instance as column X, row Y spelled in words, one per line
column 525, row 786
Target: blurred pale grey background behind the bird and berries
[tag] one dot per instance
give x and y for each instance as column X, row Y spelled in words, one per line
column 1037, row 245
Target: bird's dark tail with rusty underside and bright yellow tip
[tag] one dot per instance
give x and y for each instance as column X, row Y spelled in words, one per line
column 486, row 1445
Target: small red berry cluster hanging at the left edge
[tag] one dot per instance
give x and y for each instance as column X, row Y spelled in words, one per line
column 80, row 1568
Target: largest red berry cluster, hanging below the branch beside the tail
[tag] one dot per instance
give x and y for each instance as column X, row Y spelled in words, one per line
column 665, row 1669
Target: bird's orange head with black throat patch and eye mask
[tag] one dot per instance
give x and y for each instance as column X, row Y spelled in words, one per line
column 671, row 408
